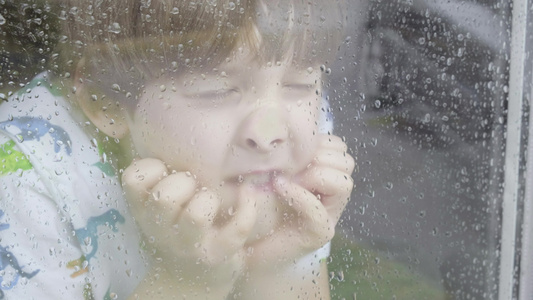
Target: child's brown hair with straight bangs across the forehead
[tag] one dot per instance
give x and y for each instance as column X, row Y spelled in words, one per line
column 123, row 43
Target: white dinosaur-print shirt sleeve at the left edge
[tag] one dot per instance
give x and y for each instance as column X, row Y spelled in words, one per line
column 38, row 251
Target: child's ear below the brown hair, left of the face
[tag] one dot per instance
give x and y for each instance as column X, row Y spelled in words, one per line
column 105, row 113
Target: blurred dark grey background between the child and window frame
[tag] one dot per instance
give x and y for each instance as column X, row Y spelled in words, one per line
column 421, row 101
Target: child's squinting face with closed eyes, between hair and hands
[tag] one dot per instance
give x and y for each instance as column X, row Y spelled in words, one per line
column 240, row 122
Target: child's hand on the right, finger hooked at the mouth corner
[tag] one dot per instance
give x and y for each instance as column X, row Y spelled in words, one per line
column 317, row 197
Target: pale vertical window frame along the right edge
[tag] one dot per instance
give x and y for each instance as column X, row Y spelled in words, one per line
column 516, row 247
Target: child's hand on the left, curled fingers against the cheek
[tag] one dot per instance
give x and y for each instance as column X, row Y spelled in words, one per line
column 179, row 221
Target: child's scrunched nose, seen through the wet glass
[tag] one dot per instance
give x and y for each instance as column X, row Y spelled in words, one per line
column 264, row 129
